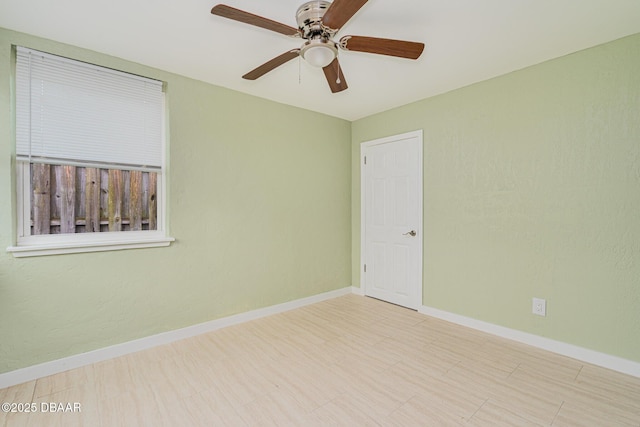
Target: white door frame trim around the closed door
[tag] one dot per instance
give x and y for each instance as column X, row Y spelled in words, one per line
column 364, row 146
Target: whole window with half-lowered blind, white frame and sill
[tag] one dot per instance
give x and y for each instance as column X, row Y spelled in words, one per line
column 89, row 157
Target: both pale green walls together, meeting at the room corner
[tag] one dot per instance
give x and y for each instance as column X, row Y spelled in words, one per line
column 532, row 188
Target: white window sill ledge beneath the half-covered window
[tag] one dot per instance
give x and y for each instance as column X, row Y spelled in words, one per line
column 82, row 243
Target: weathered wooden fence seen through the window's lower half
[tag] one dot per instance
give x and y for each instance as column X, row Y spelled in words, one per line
column 71, row 199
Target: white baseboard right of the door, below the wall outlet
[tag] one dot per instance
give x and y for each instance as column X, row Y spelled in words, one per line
column 585, row 355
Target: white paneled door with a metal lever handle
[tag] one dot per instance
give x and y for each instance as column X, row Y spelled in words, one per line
column 392, row 219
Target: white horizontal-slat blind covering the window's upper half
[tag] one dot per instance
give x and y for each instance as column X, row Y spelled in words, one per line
column 71, row 112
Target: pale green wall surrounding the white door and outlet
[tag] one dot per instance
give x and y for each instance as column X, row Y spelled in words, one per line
column 532, row 188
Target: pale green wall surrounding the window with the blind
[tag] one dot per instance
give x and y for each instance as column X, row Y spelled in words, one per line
column 260, row 208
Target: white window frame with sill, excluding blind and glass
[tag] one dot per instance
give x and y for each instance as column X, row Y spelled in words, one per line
column 27, row 245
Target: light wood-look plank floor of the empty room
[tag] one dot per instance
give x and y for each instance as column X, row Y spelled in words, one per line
column 349, row 361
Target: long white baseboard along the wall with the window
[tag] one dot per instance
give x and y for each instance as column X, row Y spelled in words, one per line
column 34, row 372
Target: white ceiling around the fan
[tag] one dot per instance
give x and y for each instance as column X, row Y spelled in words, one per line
column 466, row 41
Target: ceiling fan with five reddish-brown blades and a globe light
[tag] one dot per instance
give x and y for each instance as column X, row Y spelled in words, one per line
column 318, row 22
